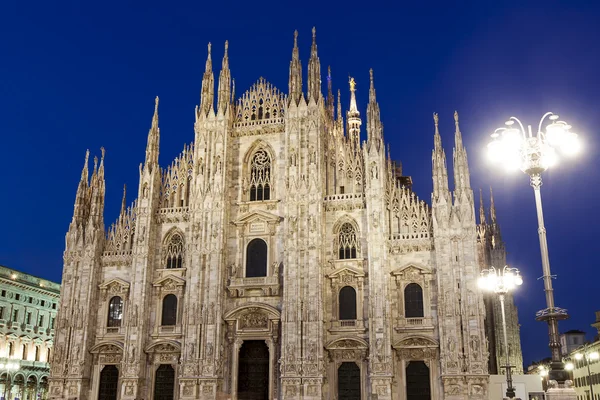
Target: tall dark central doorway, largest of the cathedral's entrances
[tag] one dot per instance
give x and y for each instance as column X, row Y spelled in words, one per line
column 253, row 371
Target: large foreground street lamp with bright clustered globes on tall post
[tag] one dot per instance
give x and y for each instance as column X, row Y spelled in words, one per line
column 517, row 148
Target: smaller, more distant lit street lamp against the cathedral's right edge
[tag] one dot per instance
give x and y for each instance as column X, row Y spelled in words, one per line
column 501, row 282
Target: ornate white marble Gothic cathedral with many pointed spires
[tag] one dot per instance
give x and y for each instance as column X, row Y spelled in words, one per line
column 280, row 257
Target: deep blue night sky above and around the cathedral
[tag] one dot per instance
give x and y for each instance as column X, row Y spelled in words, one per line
column 79, row 75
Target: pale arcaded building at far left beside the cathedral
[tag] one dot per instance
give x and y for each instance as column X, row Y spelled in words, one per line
column 28, row 307
